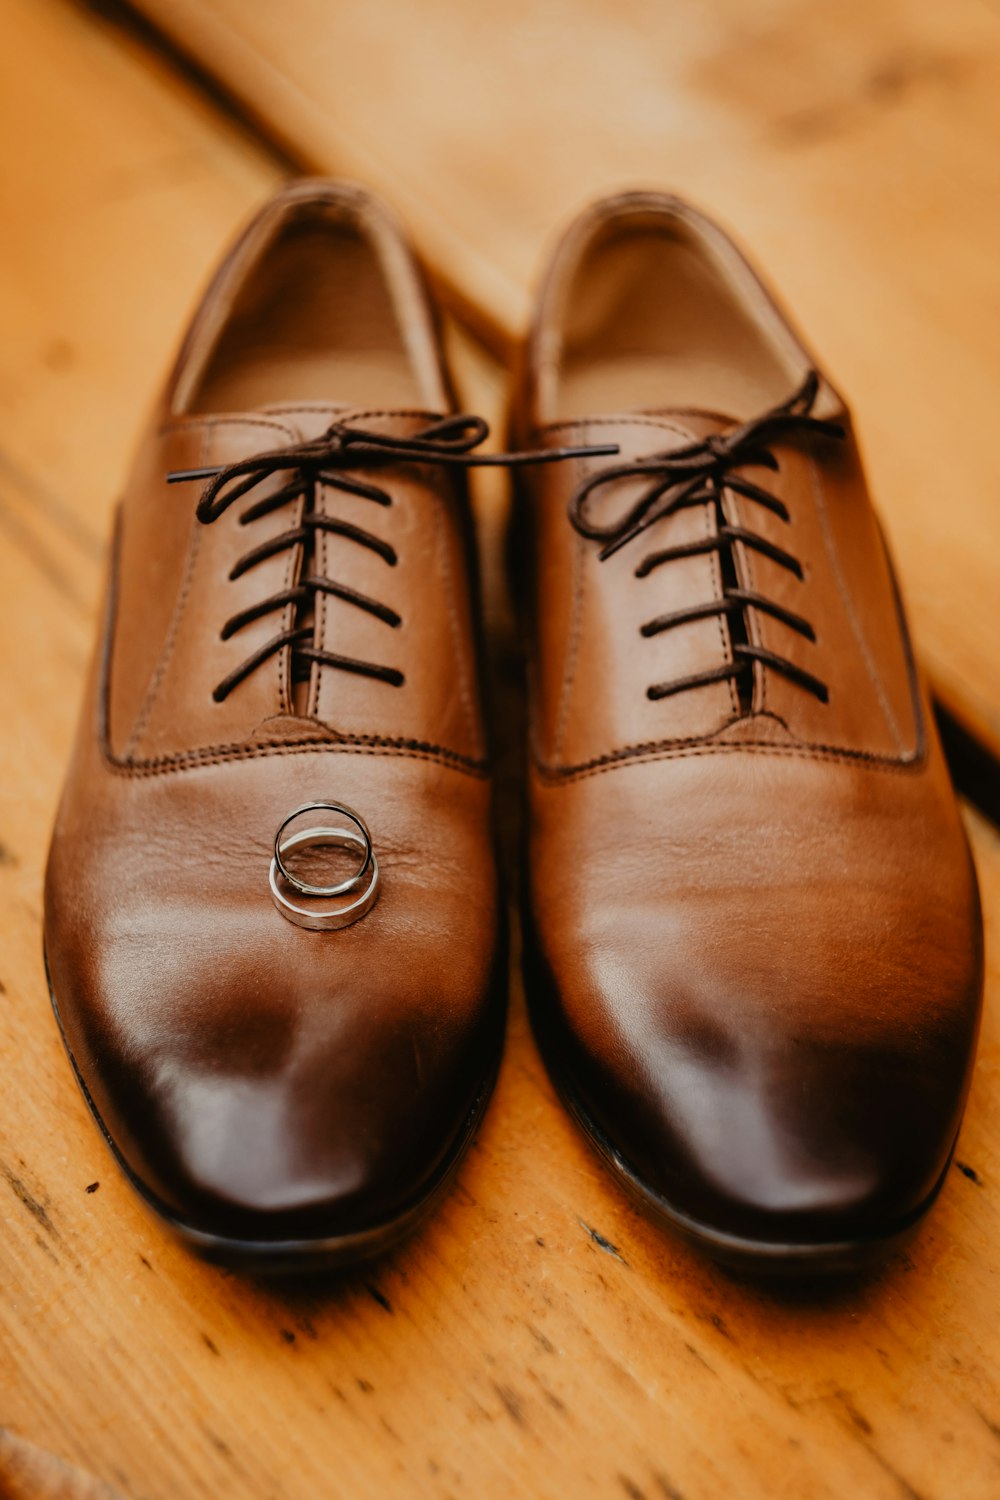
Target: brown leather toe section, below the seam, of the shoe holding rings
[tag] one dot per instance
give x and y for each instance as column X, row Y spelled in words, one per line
column 257, row 1084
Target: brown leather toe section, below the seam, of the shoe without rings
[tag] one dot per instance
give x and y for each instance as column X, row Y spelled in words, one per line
column 782, row 1058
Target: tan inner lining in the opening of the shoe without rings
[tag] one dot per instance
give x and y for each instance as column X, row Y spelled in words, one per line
column 656, row 317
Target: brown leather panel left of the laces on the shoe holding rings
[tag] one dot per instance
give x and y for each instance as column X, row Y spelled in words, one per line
column 176, row 595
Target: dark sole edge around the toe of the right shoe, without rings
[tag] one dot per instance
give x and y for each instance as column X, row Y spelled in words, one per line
column 735, row 1253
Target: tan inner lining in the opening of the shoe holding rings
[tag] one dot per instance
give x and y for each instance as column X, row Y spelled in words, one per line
column 317, row 319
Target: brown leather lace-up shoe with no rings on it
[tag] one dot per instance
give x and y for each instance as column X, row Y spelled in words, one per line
column 755, row 947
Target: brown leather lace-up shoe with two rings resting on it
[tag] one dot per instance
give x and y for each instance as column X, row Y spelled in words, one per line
column 292, row 623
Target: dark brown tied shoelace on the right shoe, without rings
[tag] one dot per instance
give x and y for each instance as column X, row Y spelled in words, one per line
column 698, row 475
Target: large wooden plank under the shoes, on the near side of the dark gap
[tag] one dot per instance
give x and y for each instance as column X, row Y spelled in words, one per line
column 539, row 1339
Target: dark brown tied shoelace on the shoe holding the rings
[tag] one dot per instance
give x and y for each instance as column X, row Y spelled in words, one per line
column 449, row 442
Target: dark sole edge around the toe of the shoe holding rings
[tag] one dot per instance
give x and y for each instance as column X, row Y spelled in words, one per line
column 296, row 1255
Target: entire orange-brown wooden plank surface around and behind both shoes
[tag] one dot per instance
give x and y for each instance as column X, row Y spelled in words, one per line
column 539, row 1339
